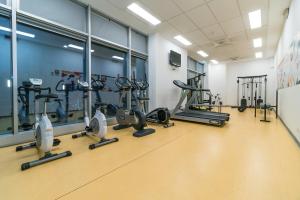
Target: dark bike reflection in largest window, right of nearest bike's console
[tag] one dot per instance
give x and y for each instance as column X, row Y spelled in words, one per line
column 66, row 86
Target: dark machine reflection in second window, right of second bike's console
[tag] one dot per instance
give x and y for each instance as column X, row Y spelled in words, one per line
column 99, row 85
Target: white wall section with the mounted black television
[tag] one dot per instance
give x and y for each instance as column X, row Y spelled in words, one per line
column 162, row 91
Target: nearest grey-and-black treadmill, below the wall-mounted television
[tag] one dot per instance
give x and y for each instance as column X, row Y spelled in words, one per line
column 212, row 118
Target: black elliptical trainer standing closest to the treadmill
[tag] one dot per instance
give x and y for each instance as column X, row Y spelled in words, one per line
column 158, row 115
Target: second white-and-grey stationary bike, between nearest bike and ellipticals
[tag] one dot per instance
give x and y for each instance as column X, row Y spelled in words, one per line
column 97, row 126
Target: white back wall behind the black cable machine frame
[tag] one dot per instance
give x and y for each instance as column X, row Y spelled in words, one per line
column 222, row 78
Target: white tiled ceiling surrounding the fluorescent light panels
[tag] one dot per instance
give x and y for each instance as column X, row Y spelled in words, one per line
column 206, row 23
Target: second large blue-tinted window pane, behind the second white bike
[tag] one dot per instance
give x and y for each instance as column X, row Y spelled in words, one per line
column 107, row 64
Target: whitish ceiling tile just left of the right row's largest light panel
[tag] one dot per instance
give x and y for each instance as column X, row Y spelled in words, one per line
column 233, row 26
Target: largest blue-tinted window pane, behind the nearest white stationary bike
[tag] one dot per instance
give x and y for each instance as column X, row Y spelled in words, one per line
column 54, row 59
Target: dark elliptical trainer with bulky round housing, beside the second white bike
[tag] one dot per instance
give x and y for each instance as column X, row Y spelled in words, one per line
column 130, row 118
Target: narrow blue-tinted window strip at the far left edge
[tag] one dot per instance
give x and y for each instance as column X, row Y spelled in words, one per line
column 5, row 76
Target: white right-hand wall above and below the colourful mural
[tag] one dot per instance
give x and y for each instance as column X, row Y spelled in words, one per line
column 289, row 98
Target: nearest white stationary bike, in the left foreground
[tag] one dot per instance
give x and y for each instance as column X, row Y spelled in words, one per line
column 43, row 129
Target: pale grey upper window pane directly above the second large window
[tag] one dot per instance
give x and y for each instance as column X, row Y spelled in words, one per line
column 109, row 30
